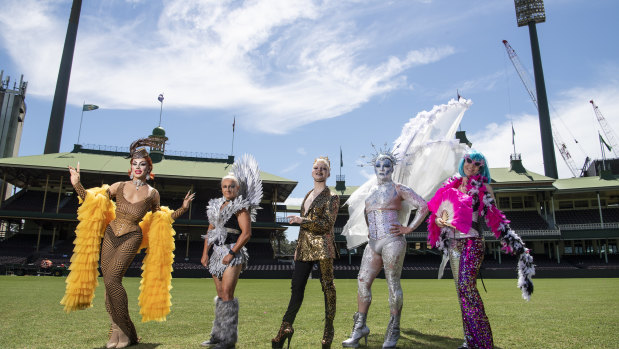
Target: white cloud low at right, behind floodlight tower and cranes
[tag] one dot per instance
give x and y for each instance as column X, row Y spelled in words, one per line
column 576, row 118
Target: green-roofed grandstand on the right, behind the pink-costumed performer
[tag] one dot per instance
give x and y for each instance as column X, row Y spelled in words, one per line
column 571, row 225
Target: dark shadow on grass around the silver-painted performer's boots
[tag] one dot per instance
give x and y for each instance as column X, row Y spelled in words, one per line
column 411, row 338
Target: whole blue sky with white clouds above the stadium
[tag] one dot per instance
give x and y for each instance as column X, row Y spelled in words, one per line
column 303, row 78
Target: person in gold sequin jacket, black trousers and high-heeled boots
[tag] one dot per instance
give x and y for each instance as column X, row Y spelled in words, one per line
column 316, row 244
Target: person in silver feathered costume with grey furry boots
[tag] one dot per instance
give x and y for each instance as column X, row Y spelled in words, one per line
column 230, row 218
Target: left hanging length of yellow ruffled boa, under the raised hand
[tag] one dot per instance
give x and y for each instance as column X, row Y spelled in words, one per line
column 94, row 215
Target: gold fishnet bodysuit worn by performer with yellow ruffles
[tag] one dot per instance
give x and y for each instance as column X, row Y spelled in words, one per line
column 121, row 241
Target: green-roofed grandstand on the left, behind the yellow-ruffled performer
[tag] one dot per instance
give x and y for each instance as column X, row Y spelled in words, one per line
column 37, row 222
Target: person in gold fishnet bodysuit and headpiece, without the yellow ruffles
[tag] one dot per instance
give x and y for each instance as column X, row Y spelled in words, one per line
column 123, row 236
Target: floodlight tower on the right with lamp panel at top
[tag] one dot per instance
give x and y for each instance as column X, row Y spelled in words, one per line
column 528, row 13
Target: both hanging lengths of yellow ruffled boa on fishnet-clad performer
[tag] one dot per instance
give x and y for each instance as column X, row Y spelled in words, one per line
column 96, row 212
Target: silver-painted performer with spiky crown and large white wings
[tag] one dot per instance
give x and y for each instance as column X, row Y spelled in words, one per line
column 423, row 156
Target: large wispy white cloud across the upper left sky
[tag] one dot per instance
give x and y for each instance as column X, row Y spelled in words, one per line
column 279, row 64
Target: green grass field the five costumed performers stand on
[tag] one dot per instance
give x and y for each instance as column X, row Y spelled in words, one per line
column 563, row 313
